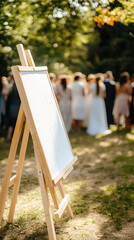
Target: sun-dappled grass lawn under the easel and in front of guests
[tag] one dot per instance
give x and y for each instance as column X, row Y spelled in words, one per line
column 101, row 187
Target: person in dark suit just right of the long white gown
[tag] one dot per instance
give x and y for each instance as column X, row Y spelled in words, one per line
column 110, row 96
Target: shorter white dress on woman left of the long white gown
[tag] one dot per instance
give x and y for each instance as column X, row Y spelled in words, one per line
column 78, row 101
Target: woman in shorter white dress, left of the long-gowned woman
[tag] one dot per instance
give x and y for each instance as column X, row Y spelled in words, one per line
column 78, row 102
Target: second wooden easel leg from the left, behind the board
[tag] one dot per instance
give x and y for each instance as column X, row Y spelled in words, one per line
column 19, row 172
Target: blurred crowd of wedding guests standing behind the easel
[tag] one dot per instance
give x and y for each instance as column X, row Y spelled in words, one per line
column 94, row 102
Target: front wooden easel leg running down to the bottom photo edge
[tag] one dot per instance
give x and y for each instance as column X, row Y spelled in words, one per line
column 46, row 204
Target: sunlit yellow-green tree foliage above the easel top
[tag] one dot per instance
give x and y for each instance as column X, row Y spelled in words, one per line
column 52, row 29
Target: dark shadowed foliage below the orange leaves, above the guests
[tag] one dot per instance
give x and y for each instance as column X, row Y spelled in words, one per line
column 115, row 49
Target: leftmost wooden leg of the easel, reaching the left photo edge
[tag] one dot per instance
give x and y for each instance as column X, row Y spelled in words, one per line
column 11, row 159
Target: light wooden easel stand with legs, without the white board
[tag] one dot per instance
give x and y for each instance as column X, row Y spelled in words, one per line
column 27, row 60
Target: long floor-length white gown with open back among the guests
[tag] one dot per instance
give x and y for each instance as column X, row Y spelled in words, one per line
column 97, row 122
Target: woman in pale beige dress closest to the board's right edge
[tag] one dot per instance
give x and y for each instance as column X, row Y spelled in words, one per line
column 63, row 94
